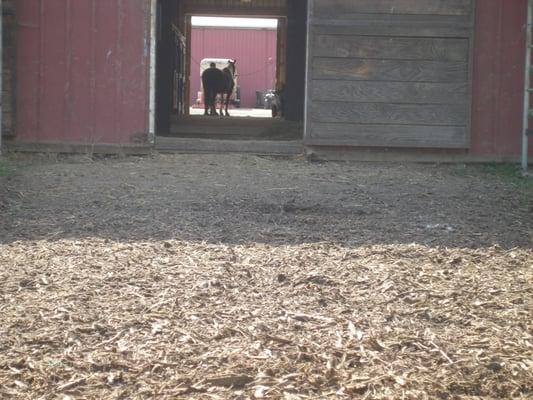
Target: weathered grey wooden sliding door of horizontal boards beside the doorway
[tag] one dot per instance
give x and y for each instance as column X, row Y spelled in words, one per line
column 391, row 73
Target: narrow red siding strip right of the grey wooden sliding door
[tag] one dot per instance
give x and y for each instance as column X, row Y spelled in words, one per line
column 498, row 77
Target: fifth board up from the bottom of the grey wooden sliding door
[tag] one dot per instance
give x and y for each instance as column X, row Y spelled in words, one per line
column 397, row 48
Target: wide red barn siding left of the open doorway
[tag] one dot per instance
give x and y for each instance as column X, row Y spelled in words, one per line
column 82, row 70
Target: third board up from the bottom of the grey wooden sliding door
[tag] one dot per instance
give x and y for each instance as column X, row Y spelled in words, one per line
column 391, row 92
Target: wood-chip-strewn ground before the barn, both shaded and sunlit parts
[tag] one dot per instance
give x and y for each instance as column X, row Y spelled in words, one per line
column 233, row 277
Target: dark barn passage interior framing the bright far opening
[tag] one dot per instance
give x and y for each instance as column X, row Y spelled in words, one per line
column 174, row 68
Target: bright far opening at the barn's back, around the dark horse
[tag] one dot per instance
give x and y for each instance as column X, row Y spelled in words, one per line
column 252, row 44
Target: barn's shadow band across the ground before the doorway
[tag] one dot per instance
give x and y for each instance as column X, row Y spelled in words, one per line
column 243, row 199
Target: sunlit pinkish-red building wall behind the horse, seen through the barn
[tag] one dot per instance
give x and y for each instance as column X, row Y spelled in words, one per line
column 254, row 50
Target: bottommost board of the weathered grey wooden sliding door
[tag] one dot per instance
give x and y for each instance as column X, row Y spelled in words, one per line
column 421, row 136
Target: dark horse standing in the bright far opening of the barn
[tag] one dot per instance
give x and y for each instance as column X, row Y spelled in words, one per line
column 217, row 82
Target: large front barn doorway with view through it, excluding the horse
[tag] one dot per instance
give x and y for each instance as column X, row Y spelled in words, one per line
column 270, row 65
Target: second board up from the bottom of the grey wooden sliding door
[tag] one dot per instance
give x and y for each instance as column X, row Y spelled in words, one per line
column 389, row 113
